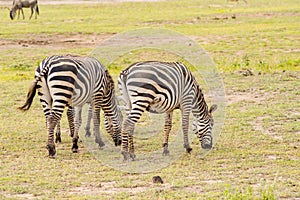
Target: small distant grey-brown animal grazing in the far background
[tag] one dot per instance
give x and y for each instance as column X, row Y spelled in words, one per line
column 20, row 4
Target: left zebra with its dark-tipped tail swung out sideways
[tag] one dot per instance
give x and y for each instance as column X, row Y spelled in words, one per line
column 72, row 81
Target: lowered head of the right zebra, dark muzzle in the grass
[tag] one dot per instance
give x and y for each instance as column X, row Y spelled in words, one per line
column 203, row 128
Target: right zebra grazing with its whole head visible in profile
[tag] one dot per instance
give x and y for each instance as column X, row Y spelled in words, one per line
column 161, row 87
